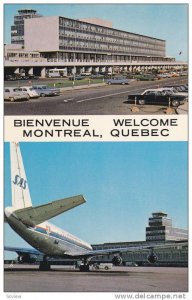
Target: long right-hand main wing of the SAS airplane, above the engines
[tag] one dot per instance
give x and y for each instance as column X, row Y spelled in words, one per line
column 136, row 248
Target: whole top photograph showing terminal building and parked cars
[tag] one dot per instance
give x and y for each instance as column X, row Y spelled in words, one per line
column 95, row 59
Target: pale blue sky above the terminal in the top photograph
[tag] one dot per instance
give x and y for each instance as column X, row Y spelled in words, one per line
column 164, row 21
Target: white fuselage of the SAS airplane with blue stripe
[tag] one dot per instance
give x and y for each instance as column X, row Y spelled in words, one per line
column 47, row 238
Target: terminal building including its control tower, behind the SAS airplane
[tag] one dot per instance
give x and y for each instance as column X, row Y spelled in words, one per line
column 161, row 230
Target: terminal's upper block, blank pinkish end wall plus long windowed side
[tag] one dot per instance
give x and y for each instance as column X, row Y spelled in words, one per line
column 65, row 39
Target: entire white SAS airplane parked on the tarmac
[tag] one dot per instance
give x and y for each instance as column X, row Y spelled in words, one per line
column 48, row 240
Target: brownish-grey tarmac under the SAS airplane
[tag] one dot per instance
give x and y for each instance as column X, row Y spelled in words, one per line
column 118, row 279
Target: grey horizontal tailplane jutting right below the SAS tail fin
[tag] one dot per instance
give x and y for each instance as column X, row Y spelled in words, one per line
column 35, row 215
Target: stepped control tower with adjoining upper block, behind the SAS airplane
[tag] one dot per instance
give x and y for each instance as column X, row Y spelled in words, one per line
column 160, row 229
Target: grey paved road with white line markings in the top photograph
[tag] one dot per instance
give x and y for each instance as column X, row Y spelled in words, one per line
column 104, row 100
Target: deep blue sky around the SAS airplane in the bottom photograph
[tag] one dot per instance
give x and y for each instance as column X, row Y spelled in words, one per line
column 123, row 184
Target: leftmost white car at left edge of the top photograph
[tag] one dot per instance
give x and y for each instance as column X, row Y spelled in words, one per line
column 14, row 94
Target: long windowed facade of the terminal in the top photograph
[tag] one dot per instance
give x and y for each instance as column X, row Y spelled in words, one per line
column 80, row 36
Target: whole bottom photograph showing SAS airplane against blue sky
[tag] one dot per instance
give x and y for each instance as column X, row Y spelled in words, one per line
column 96, row 217
